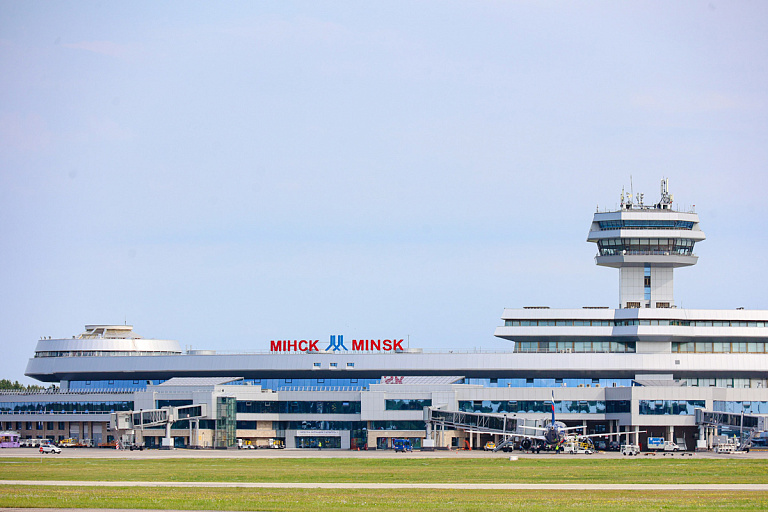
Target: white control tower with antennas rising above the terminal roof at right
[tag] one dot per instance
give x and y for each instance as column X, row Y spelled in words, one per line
column 646, row 243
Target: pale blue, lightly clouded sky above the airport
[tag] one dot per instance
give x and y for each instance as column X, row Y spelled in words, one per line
column 224, row 174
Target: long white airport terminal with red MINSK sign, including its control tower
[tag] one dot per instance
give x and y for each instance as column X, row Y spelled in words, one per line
column 644, row 366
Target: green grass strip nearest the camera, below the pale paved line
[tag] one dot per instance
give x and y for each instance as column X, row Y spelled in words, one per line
column 323, row 500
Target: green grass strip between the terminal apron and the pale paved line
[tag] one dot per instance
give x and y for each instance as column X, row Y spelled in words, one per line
column 438, row 470
